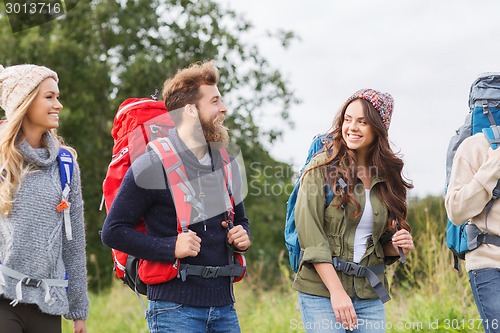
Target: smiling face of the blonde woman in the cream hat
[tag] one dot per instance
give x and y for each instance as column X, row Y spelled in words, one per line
column 43, row 113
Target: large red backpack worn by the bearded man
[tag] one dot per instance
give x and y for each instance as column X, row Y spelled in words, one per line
column 142, row 123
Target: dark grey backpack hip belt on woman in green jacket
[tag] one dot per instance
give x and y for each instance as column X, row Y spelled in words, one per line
column 368, row 272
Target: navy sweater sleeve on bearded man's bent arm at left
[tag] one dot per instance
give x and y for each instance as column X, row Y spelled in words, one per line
column 143, row 183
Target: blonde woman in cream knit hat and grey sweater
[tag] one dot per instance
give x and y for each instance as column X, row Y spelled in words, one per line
column 42, row 236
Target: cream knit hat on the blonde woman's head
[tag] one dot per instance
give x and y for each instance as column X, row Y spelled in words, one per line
column 17, row 82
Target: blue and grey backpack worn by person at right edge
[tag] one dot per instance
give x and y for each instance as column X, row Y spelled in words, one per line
column 484, row 114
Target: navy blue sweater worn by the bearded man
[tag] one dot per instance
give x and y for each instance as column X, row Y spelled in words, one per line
column 144, row 193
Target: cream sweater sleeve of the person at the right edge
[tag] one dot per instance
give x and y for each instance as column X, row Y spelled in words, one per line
column 474, row 175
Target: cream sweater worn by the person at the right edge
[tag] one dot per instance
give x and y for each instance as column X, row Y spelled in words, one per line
column 473, row 177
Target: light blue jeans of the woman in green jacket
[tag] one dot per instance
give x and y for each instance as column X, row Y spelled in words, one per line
column 318, row 316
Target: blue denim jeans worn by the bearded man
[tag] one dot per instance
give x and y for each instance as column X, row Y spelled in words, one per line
column 169, row 317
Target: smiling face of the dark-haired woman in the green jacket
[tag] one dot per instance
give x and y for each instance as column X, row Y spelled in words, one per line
column 356, row 131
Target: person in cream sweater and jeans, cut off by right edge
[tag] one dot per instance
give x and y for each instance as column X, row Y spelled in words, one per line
column 474, row 176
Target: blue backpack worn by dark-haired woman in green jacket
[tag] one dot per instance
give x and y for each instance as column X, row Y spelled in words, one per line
column 291, row 238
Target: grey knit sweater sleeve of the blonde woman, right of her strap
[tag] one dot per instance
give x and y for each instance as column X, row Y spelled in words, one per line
column 74, row 256
